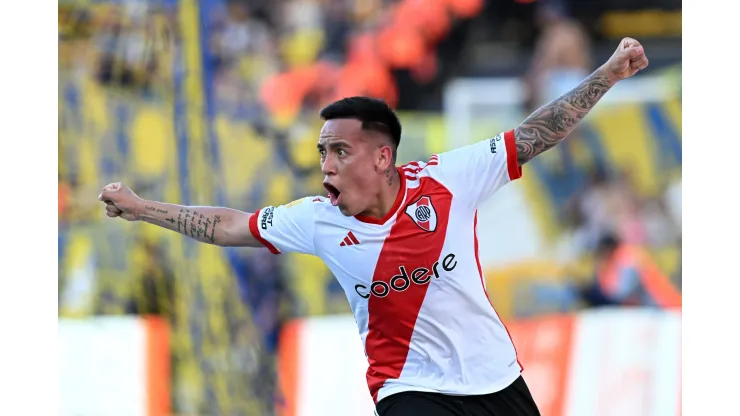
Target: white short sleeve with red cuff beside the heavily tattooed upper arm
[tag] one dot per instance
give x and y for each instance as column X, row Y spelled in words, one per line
column 476, row 171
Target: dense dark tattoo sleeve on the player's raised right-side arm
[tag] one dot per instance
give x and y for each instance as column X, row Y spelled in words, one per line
column 552, row 123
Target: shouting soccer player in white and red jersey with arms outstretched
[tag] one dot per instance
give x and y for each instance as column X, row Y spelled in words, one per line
column 402, row 243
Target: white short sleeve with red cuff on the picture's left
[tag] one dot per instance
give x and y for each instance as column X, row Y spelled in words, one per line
column 286, row 228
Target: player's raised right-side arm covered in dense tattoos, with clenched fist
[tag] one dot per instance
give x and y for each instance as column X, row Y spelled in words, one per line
column 552, row 123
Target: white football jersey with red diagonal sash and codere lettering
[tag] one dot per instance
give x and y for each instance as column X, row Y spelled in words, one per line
column 413, row 279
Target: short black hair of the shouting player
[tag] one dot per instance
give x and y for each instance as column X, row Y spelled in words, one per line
column 374, row 114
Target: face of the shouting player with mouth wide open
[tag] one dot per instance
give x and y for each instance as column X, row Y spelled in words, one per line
column 349, row 161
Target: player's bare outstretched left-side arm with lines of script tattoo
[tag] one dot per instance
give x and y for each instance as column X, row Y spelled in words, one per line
column 212, row 225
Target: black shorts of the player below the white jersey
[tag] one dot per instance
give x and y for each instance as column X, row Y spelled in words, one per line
column 515, row 400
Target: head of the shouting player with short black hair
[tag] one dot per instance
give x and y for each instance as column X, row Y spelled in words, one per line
column 358, row 145
